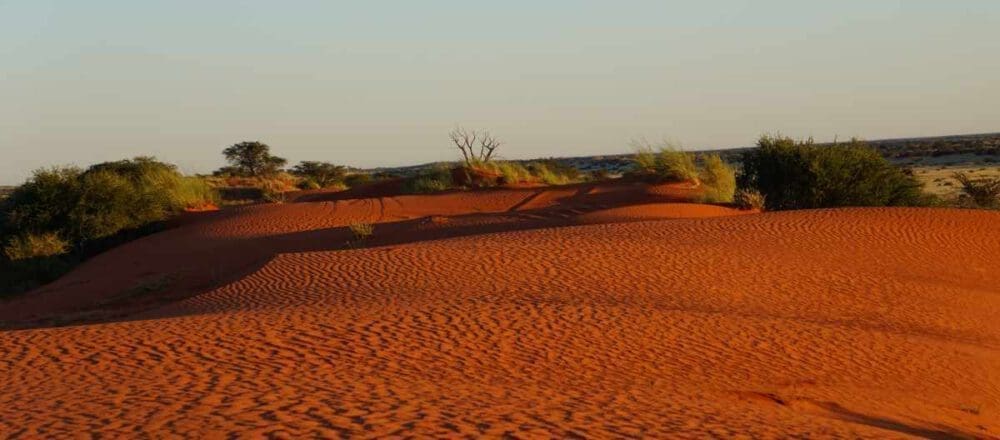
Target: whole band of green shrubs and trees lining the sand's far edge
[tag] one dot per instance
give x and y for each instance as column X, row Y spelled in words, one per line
column 63, row 215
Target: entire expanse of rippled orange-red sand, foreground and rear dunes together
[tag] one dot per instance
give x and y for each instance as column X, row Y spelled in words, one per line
column 535, row 313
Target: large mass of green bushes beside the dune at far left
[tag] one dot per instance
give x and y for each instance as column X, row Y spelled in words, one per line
column 60, row 213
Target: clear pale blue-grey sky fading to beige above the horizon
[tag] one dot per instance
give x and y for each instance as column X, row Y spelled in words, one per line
column 371, row 83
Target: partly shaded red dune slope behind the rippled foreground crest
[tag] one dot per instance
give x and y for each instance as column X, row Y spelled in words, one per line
column 213, row 249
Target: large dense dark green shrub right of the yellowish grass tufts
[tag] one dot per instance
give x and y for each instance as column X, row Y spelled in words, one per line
column 800, row 175
